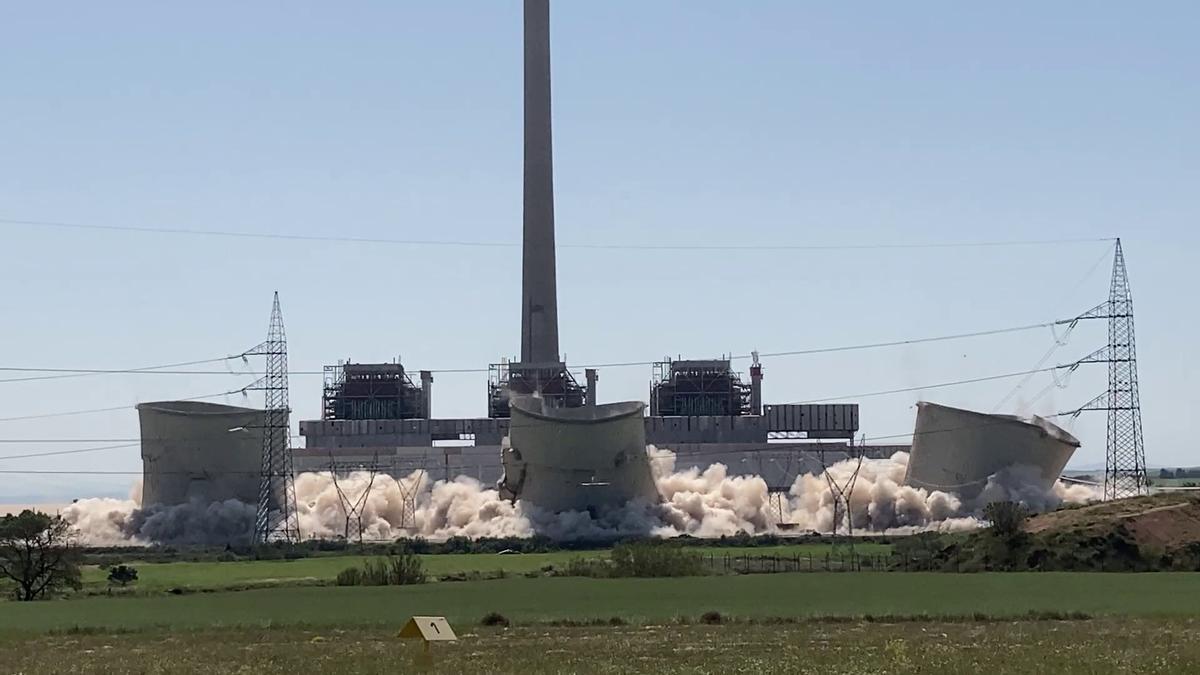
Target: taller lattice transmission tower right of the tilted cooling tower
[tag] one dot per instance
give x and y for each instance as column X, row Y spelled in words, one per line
column 1125, row 462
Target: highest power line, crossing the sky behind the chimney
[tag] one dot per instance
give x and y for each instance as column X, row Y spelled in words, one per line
column 463, row 243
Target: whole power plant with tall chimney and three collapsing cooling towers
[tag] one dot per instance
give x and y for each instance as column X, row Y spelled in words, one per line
column 566, row 450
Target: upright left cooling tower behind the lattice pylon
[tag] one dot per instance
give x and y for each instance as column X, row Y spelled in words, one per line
column 193, row 450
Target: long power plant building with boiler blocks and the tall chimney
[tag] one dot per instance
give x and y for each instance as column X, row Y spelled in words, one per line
column 375, row 416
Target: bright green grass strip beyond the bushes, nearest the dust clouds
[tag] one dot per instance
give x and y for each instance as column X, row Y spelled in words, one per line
column 217, row 576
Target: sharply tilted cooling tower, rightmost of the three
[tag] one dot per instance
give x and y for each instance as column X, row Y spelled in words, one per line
column 956, row 450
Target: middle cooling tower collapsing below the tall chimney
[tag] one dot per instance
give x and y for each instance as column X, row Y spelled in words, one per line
column 590, row 458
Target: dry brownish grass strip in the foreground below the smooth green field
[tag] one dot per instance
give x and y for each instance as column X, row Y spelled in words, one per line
column 1109, row 647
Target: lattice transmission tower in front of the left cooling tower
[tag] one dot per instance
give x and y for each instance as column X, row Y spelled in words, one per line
column 277, row 492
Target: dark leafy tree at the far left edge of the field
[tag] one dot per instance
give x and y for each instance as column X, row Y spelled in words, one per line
column 38, row 554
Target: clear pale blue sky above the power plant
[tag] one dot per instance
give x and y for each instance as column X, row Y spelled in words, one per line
column 771, row 123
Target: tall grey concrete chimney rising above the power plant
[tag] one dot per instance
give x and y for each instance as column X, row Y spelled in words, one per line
column 539, row 295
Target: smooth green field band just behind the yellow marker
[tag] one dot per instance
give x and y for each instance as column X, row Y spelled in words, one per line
column 542, row 600
